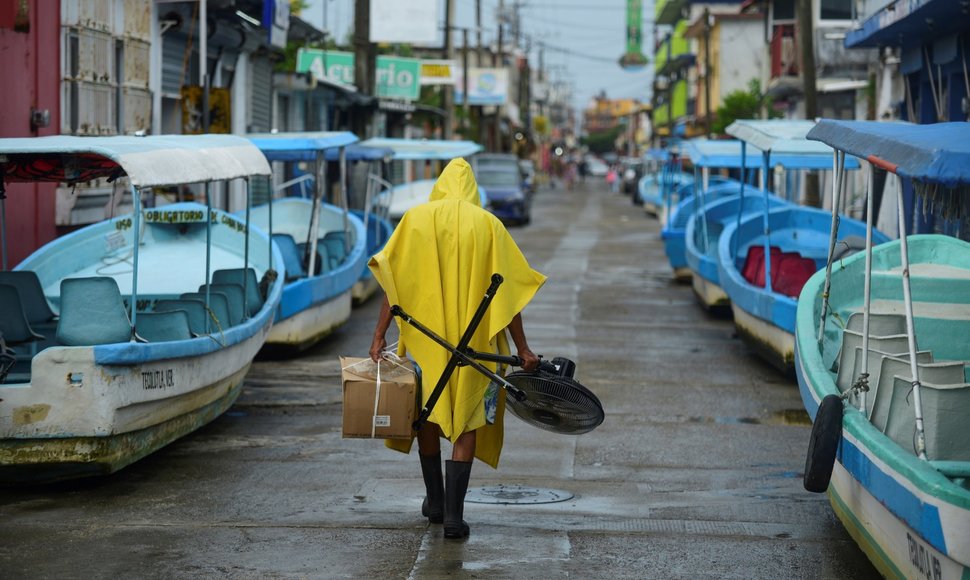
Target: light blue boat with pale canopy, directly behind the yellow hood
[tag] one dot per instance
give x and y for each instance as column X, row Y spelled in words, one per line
column 403, row 197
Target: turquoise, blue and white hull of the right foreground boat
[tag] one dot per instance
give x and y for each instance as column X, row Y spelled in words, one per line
column 909, row 518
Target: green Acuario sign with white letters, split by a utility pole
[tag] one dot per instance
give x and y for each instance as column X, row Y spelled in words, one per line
column 397, row 78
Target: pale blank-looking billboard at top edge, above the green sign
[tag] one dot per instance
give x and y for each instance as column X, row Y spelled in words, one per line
column 404, row 21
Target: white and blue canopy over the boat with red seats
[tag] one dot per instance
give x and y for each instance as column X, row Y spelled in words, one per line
column 785, row 141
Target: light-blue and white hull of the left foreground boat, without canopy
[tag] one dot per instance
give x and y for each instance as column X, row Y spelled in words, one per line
column 89, row 410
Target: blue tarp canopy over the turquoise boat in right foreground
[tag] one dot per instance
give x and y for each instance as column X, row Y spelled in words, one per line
column 938, row 153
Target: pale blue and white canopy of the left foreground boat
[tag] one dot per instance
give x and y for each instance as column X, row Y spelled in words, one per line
column 154, row 160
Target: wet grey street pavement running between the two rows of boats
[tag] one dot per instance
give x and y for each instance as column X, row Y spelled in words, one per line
column 695, row 473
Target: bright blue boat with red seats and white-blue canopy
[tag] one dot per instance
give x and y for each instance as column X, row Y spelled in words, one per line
column 764, row 260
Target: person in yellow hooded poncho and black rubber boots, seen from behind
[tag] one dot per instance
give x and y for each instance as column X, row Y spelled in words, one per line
column 436, row 266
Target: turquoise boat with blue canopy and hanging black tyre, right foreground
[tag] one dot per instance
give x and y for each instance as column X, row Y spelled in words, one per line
column 882, row 351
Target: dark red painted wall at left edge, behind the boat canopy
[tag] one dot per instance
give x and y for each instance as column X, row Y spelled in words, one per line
column 30, row 70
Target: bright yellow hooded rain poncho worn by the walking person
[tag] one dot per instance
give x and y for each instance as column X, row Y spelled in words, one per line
column 437, row 266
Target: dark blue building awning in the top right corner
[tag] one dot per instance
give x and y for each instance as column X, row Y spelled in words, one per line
column 909, row 22
